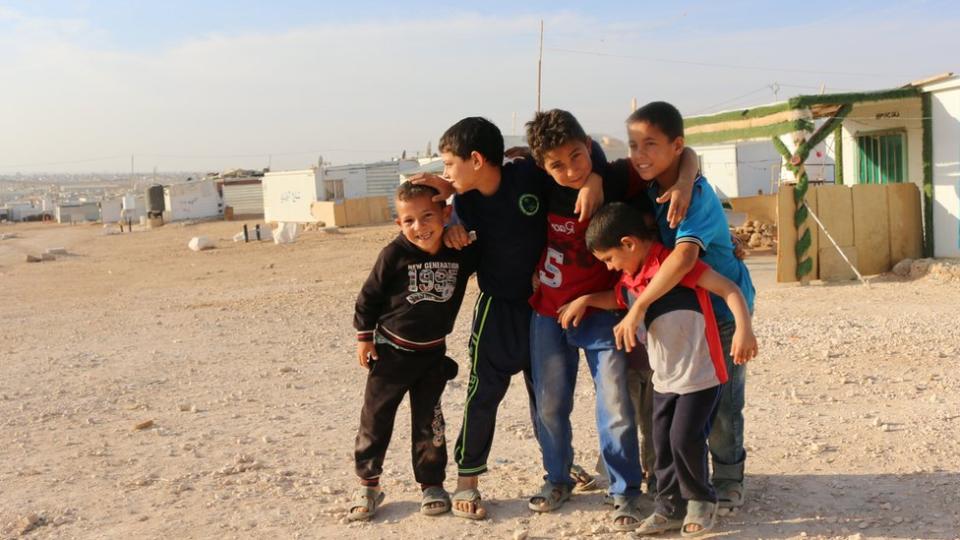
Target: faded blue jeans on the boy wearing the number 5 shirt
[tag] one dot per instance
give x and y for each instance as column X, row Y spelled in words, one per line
column 555, row 357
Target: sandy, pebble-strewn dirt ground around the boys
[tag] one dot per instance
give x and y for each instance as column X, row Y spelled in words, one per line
column 243, row 360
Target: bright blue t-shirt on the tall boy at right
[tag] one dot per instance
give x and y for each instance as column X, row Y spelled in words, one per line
column 706, row 226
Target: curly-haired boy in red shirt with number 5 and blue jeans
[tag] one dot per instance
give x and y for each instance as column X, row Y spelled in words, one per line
column 566, row 271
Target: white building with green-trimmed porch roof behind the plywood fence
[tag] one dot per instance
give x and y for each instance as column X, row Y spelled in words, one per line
column 909, row 134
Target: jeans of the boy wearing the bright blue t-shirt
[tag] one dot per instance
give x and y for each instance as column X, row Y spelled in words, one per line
column 726, row 439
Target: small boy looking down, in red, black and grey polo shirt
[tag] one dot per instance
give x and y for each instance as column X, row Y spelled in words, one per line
column 683, row 344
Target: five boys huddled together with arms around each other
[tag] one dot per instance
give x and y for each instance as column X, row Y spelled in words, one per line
column 562, row 242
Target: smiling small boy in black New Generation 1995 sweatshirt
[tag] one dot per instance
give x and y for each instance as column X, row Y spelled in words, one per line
column 406, row 308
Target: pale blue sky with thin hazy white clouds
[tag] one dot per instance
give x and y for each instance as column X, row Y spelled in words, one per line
column 214, row 85
